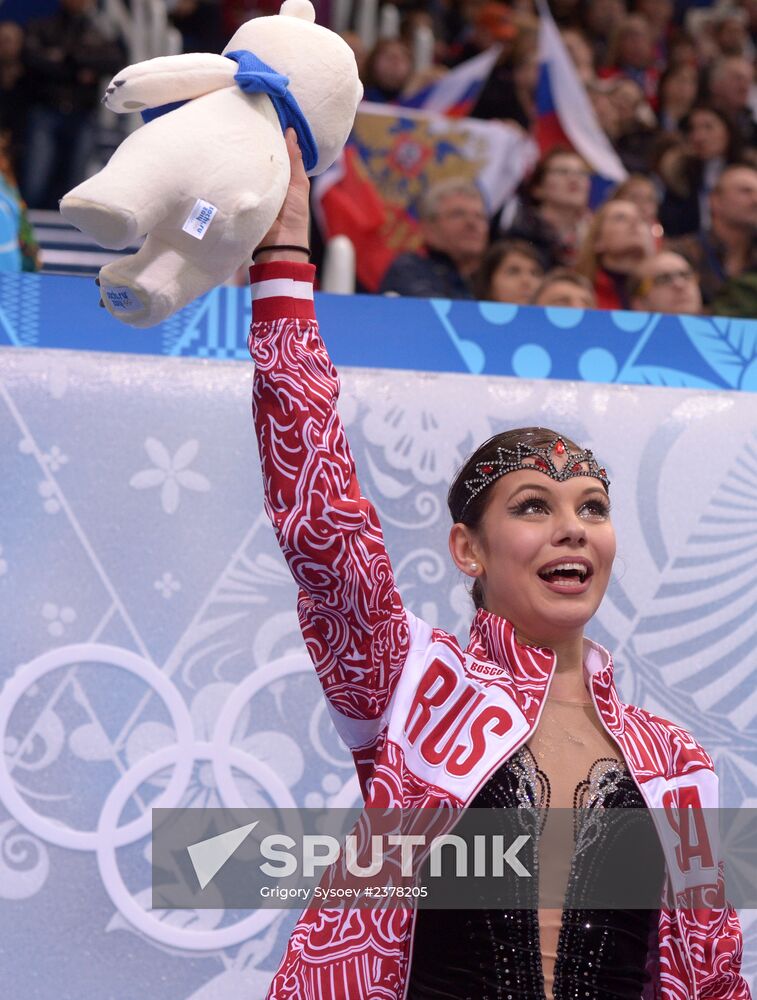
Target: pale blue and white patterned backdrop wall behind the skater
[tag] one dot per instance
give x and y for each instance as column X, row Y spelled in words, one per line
column 142, row 592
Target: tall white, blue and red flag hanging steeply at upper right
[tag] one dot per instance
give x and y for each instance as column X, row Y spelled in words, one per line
column 565, row 115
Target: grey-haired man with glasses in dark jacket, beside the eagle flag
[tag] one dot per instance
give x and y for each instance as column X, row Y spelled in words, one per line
column 454, row 227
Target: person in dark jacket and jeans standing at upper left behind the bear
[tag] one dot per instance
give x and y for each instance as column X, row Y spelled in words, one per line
column 66, row 55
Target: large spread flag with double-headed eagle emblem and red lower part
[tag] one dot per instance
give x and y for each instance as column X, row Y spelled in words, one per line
column 373, row 191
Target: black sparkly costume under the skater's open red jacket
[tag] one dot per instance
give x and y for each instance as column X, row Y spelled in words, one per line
column 495, row 954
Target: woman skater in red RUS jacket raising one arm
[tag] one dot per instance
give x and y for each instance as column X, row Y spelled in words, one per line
column 526, row 714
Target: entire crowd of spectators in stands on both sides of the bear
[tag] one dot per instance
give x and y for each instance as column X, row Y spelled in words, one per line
column 672, row 85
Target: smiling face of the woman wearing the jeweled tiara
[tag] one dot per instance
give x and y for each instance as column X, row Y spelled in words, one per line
column 543, row 552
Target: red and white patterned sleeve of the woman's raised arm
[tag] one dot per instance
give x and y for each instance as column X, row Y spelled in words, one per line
column 350, row 611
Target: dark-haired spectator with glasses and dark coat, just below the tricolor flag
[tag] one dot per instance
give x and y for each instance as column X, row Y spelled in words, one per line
column 555, row 212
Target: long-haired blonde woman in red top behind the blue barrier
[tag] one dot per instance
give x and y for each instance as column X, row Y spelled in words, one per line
column 617, row 242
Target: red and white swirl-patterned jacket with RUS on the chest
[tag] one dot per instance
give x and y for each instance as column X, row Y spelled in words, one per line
column 399, row 691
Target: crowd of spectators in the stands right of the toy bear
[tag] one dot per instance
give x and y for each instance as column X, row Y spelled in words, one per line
column 673, row 88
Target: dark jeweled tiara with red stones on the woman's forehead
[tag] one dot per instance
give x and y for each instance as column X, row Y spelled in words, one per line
column 527, row 456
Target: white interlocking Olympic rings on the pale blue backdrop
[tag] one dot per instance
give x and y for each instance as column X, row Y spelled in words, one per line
column 180, row 756
